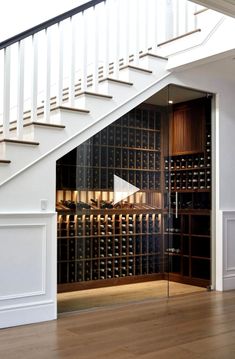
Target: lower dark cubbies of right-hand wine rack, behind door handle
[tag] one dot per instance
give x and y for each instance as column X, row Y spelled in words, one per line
column 187, row 247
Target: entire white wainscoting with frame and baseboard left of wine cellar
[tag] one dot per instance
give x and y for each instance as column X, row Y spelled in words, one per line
column 27, row 268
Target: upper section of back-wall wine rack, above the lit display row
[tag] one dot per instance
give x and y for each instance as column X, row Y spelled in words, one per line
column 130, row 148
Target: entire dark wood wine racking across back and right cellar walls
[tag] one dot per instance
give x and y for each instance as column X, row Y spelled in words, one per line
column 101, row 243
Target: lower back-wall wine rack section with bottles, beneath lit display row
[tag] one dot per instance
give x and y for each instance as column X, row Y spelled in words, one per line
column 92, row 247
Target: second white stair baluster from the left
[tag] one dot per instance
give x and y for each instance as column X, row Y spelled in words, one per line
column 20, row 90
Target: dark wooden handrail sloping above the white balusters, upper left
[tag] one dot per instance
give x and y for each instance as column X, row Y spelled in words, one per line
column 44, row 25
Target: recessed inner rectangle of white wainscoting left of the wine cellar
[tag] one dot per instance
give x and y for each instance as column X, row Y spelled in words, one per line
column 23, row 258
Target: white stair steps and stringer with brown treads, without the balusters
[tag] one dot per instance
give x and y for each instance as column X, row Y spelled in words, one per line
column 90, row 112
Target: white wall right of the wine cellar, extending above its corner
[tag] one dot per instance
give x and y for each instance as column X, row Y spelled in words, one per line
column 209, row 77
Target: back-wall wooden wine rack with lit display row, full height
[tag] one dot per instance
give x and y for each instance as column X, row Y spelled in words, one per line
column 100, row 243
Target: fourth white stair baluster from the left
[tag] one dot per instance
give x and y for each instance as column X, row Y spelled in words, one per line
column 48, row 76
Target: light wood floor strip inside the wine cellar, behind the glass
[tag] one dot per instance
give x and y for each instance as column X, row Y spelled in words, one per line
column 123, row 294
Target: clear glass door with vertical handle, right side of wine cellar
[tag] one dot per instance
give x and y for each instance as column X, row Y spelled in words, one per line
column 187, row 196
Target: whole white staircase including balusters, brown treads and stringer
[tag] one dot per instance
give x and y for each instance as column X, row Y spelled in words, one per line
column 76, row 74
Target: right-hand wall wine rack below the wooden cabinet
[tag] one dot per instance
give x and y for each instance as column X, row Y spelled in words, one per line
column 187, row 240
